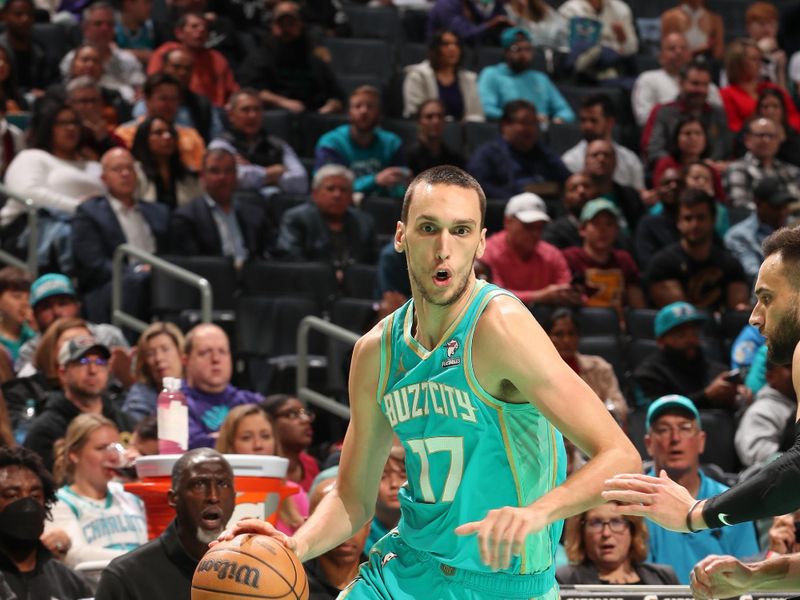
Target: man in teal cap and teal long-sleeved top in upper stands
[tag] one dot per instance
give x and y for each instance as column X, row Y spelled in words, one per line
column 516, row 79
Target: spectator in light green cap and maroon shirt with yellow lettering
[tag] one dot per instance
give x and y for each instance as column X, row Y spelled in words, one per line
column 609, row 276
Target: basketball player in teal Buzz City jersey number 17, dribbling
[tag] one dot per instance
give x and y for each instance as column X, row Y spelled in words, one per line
column 477, row 394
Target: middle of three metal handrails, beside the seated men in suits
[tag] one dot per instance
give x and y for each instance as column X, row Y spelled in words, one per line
column 120, row 317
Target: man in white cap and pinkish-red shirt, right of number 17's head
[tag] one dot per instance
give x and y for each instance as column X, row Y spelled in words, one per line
column 521, row 262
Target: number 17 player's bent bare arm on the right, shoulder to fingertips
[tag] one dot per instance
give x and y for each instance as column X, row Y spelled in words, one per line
column 514, row 358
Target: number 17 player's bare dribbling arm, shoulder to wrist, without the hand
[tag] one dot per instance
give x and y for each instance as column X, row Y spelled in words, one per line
column 351, row 503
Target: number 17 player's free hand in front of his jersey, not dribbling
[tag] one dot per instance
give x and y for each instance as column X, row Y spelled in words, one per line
column 502, row 533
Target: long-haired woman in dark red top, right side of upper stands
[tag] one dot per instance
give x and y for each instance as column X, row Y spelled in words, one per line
column 689, row 144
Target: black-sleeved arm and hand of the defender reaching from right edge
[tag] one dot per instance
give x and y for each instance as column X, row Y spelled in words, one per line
column 770, row 492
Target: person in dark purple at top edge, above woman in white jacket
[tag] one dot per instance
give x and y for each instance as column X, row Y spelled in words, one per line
column 473, row 22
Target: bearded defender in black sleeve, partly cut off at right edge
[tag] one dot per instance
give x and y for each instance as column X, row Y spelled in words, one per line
column 773, row 490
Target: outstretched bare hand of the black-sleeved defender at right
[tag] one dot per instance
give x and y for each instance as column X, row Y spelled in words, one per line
column 658, row 498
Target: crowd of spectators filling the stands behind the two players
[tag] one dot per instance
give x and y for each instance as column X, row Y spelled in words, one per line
column 630, row 179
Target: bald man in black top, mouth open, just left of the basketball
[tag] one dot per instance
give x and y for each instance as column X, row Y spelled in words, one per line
column 203, row 497
